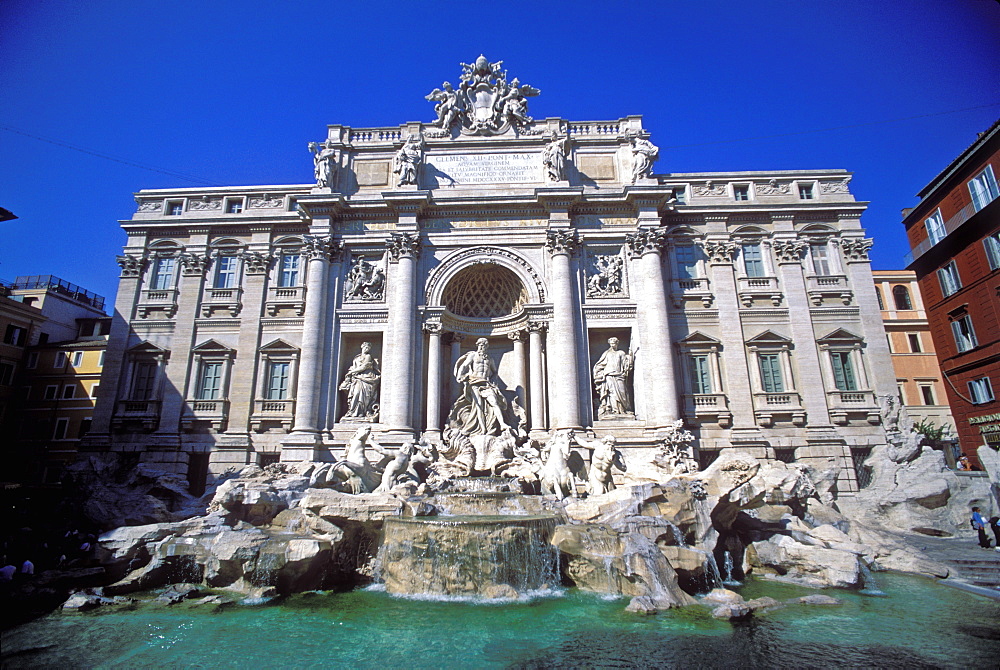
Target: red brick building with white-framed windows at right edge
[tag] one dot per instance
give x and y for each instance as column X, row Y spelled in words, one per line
column 955, row 236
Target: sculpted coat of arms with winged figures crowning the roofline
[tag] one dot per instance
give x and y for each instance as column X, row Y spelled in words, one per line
column 485, row 103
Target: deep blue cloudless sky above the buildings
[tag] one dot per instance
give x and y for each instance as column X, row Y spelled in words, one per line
column 232, row 92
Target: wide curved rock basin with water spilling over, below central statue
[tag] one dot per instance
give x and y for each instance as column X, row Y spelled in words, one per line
column 481, row 556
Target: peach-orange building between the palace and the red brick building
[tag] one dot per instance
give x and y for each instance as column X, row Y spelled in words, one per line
column 918, row 375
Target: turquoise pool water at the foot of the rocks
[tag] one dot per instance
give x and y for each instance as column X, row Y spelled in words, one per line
column 918, row 624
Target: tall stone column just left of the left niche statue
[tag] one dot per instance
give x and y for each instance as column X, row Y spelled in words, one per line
column 307, row 392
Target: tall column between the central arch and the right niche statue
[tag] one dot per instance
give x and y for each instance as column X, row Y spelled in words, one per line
column 563, row 338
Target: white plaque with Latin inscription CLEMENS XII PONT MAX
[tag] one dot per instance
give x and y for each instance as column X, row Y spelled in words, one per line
column 471, row 169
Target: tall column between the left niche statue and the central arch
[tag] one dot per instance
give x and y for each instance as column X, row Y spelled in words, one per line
column 399, row 351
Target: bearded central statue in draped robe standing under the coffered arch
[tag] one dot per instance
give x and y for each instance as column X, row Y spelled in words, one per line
column 481, row 408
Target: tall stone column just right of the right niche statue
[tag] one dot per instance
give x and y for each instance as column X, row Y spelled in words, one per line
column 660, row 390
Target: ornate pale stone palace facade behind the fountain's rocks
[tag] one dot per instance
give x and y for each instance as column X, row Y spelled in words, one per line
column 264, row 323
